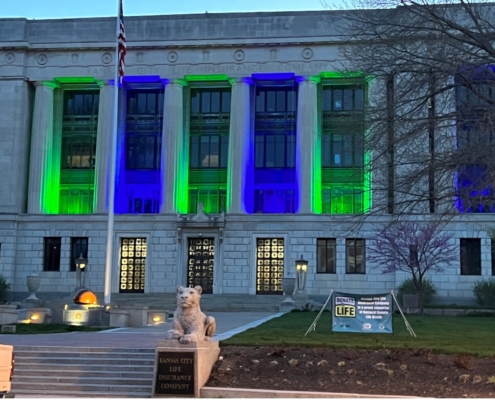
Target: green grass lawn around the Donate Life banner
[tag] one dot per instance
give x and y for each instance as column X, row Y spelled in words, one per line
column 448, row 335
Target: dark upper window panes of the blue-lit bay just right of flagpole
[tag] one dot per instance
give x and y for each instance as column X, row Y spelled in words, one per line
column 144, row 129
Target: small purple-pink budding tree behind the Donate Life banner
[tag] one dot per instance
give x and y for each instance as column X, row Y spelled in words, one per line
column 415, row 248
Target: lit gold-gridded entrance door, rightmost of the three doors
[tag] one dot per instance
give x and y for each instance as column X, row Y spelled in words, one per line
column 270, row 266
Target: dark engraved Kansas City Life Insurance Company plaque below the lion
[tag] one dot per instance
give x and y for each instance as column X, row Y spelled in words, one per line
column 174, row 374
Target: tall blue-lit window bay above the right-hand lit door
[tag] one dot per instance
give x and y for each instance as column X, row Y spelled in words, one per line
column 275, row 117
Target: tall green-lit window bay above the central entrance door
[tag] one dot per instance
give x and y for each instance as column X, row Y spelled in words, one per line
column 209, row 123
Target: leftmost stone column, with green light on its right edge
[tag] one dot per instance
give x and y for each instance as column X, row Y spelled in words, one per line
column 41, row 141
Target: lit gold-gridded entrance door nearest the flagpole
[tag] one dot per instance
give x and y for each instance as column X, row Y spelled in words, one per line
column 132, row 265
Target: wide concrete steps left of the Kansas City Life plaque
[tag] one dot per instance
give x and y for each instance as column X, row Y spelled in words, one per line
column 82, row 372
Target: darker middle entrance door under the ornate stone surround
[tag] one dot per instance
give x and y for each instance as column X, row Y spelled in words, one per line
column 200, row 261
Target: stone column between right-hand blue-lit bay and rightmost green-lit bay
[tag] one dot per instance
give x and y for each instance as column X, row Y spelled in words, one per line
column 308, row 164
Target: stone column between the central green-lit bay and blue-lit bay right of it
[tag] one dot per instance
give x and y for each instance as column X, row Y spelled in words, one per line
column 239, row 145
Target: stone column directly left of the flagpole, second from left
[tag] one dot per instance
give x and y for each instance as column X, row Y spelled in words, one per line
column 103, row 147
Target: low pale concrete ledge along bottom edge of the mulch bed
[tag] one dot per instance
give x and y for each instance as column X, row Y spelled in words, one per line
column 211, row 392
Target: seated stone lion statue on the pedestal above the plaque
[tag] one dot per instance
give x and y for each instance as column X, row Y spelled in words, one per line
column 190, row 324
